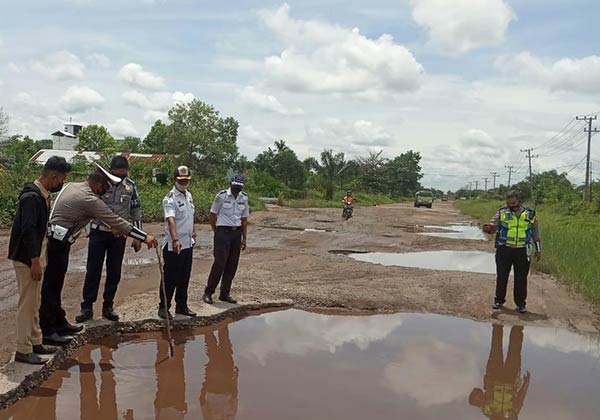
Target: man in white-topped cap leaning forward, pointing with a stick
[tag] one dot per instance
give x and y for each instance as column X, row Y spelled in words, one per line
column 75, row 206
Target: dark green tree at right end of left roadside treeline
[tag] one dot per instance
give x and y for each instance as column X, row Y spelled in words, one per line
column 404, row 174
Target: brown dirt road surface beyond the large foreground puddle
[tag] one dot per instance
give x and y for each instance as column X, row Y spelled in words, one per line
column 285, row 262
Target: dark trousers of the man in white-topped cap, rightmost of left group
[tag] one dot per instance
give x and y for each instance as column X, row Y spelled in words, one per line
column 227, row 248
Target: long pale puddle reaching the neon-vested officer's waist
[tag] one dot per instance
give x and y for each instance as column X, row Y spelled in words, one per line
column 470, row 261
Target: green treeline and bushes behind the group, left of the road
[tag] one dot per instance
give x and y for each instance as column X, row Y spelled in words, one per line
column 196, row 135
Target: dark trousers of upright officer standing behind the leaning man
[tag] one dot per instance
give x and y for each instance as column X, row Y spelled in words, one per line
column 103, row 244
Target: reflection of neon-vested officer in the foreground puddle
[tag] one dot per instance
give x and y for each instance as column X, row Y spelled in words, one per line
column 504, row 392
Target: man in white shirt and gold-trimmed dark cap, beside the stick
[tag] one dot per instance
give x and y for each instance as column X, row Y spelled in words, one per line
column 180, row 237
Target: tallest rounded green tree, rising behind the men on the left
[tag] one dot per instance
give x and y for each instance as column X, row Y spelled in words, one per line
column 204, row 141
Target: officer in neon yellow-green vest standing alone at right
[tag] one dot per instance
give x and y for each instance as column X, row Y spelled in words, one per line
column 517, row 231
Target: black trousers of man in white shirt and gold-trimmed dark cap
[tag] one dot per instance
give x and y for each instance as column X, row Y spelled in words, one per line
column 177, row 269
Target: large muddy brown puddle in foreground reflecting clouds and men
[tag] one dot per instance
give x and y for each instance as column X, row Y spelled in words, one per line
column 299, row 365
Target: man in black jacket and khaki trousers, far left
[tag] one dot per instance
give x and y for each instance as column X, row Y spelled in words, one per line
column 27, row 250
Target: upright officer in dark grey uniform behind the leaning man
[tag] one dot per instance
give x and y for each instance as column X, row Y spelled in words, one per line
column 124, row 201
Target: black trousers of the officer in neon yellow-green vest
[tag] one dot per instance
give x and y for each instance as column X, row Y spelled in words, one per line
column 516, row 258
